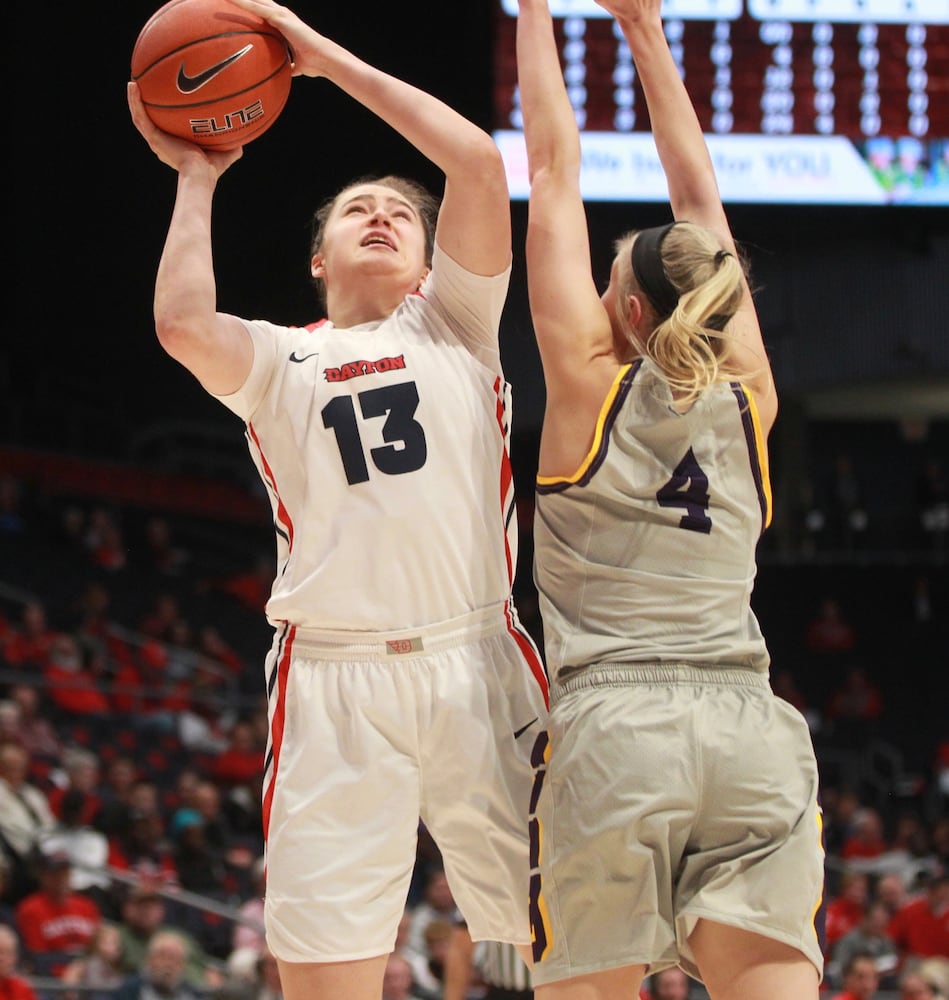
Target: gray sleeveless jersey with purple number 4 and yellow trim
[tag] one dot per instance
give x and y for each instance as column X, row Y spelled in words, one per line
column 647, row 553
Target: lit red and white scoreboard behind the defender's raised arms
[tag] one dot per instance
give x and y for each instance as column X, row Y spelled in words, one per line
column 801, row 101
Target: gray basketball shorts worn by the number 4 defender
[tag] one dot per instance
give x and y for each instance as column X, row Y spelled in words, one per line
column 666, row 795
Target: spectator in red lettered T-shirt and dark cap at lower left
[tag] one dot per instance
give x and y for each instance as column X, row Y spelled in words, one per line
column 56, row 922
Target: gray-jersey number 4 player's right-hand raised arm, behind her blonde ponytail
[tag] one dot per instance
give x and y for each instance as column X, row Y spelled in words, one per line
column 693, row 189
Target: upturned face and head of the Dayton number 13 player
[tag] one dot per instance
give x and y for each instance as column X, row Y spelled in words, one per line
column 373, row 230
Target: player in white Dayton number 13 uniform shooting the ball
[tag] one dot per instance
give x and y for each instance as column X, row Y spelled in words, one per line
column 400, row 681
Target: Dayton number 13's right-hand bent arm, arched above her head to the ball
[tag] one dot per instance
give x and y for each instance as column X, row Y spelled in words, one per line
column 474, row 220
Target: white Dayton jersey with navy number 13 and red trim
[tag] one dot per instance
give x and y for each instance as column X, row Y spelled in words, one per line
column 384, row 448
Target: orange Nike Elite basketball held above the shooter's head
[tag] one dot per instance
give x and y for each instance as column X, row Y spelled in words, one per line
column 211, row 73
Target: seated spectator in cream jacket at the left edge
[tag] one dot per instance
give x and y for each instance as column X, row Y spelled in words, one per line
column 25, row 817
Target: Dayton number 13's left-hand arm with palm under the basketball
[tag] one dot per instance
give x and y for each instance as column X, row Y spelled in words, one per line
column 214, row 347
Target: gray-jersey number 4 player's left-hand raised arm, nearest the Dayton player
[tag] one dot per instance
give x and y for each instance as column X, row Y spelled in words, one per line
column 569, row 320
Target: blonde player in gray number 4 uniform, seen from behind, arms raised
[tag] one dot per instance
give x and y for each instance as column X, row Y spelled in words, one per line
column 677, row 820
